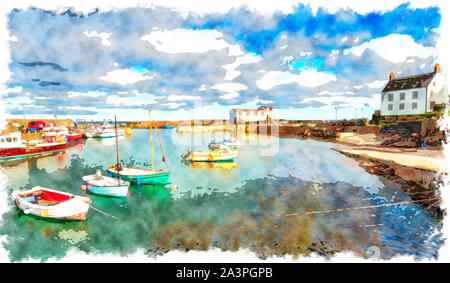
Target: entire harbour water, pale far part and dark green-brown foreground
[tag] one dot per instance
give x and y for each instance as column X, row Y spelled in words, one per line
column 263, row 202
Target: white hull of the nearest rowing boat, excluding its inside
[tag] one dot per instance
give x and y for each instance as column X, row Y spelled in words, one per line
column 72, row 207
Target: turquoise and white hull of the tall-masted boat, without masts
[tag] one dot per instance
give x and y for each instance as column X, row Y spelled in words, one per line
column 159, row 177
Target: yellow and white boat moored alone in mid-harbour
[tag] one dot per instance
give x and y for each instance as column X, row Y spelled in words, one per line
column 223, row 154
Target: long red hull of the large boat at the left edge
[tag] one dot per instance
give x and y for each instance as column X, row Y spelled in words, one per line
column 22, row 152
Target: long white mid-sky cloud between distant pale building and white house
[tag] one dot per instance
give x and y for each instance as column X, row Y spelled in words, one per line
column 308, row 77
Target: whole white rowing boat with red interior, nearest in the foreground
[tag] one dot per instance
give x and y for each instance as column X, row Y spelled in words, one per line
column 48, row 203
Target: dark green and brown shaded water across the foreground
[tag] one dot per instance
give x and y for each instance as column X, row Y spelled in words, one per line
column 274, row 216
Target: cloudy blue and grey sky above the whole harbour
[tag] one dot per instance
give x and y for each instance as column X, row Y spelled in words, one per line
column 307, row 61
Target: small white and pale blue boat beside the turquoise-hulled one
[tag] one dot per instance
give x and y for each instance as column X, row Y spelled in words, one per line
column 107, row 186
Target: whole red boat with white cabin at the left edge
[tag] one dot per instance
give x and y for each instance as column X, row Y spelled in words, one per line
column 12, row 147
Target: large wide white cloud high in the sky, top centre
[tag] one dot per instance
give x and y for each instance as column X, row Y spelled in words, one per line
column 190, row 41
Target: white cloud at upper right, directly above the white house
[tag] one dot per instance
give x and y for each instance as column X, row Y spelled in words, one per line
column 395, row 48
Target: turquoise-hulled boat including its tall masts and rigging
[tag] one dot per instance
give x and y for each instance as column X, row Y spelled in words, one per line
column 142, row 175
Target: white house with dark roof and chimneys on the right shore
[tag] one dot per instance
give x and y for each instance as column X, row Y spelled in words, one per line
column 416, row 94
